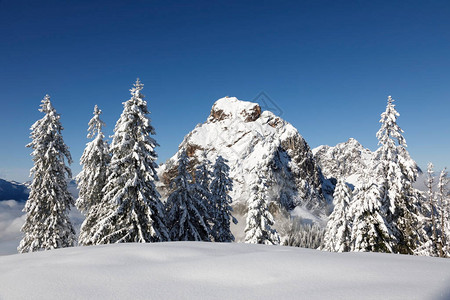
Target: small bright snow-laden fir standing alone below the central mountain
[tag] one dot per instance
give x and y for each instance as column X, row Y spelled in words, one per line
column 259, row 222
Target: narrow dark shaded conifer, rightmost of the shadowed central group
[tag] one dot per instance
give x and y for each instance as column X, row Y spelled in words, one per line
column 222, row 213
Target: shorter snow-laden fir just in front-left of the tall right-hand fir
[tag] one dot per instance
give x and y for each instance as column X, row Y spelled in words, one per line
column 370, row 230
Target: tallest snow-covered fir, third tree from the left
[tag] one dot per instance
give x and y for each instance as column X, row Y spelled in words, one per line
column 132, row 210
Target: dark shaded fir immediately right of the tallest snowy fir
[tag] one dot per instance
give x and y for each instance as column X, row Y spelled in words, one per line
column 185, row 208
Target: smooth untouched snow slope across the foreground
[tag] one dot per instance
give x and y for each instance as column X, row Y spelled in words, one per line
column 195, row 270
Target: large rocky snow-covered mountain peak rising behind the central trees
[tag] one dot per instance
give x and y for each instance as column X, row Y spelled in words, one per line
column 252, row 139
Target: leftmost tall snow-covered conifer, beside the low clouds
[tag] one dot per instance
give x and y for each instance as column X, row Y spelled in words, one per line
column 47, row 224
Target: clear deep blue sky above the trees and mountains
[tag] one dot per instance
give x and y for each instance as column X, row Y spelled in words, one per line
column 329, row 66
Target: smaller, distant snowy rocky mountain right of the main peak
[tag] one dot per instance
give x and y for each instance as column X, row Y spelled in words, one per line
column 346, row 160
